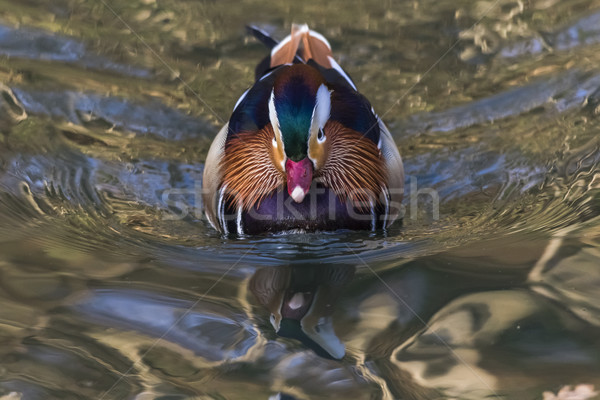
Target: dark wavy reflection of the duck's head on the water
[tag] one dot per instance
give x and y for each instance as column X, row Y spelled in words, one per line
column 301, row 300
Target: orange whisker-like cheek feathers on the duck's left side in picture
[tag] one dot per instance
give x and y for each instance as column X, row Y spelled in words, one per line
column 248, row 169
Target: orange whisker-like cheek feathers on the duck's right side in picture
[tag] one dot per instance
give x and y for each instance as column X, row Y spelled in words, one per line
column 354, row 168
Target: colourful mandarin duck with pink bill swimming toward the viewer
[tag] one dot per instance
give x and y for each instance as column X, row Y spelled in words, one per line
column 303, row 150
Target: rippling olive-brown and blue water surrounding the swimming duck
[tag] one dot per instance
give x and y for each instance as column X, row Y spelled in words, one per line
column 113, row 287
